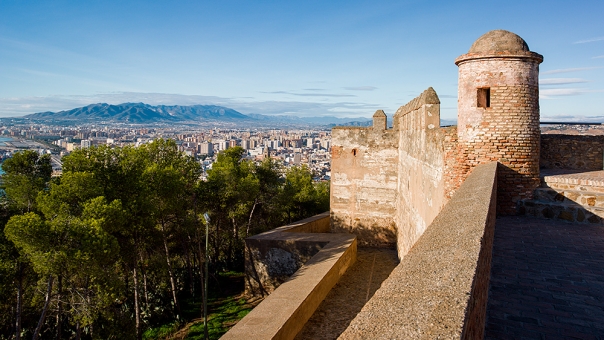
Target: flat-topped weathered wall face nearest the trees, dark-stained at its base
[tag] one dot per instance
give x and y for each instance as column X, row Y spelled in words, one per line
column 364, row 183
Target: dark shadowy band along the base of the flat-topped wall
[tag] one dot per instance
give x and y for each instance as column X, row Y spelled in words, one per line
column 376, row 233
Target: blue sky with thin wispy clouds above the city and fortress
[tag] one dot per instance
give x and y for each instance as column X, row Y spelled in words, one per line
column 305, row 58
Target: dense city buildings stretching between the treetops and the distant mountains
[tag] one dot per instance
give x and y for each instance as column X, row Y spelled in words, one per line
column 289, row 147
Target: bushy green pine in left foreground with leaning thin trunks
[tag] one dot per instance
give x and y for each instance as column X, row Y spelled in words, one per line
column 70, row 244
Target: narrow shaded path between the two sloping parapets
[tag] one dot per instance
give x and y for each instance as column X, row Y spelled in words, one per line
column 350, row 294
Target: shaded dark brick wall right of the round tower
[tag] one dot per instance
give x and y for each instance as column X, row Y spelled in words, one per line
column 572, row 152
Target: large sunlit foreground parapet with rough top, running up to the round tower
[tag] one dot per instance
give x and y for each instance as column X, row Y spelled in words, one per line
column 440, row 288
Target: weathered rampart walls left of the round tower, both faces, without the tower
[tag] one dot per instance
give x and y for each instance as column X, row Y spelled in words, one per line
column 388, row 185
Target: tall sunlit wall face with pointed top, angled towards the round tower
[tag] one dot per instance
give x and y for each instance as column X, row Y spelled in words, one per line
column 421, row 168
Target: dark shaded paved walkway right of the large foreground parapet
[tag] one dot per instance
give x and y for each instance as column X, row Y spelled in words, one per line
column 547, row 280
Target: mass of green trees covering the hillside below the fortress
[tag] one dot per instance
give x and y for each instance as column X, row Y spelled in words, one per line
column 116, row 245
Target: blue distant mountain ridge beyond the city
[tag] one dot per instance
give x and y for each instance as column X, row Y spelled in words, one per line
column 143, row 113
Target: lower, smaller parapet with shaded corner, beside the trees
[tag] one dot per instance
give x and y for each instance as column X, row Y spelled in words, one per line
column 284, row 312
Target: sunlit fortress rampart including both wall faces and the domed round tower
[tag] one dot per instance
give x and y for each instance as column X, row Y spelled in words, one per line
column 390, row 184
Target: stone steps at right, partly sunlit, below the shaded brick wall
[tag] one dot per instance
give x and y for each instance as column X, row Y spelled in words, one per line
column 573, row 197
